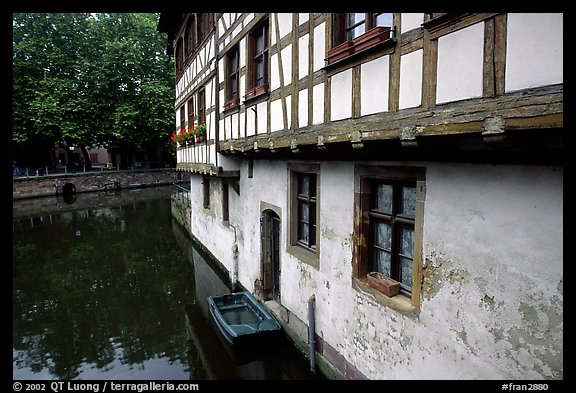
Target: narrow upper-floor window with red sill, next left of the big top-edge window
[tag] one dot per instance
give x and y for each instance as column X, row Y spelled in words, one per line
column 258, row 60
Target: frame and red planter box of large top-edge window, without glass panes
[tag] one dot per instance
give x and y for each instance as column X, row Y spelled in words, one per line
column 344, row 47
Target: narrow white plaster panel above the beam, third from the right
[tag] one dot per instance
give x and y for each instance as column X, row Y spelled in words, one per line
column 411, row 79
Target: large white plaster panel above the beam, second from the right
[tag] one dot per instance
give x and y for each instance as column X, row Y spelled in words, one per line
column 460, row 62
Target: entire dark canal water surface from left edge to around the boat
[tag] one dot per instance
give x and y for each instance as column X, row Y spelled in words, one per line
column 109, row 286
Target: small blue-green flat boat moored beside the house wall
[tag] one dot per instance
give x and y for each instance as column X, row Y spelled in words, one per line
column 240, row 317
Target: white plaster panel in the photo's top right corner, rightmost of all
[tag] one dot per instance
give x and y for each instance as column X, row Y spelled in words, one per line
column 534, row 50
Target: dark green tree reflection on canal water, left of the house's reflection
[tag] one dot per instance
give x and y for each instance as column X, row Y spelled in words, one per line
column 98, row 288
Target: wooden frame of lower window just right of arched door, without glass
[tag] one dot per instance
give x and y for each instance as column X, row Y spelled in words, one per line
column 307, row 253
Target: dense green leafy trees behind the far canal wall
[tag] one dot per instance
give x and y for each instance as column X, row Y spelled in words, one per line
column 91, row 79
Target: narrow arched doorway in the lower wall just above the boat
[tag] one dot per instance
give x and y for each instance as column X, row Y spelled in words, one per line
column 269, row 282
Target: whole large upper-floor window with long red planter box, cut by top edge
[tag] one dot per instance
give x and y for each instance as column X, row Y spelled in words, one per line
column 355, row 32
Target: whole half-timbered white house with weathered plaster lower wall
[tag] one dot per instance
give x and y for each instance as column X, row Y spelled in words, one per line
column 424, row 147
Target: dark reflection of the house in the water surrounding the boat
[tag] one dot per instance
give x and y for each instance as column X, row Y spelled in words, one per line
column 209, row 355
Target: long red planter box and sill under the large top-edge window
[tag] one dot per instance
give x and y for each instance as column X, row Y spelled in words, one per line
column 374, row 37
